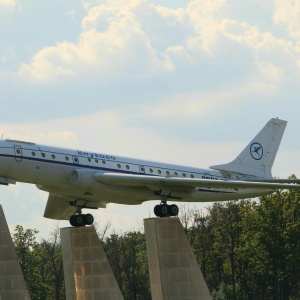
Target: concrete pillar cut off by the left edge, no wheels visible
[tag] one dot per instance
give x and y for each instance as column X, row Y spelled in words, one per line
column 12, row 283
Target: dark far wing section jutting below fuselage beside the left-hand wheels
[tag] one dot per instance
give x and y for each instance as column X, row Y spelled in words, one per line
column 58, row 207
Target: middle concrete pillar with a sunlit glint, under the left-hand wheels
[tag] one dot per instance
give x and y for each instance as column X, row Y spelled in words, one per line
column 88, row 274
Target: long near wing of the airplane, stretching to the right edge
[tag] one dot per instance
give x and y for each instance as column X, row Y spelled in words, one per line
column 171, row 182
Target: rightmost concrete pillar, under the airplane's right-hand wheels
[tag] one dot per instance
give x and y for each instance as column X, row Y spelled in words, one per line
column 174, row 271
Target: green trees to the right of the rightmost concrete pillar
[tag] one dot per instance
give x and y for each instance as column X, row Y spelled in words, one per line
column 250, row 250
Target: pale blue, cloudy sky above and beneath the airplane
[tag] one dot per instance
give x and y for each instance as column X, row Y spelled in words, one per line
column 177, row 81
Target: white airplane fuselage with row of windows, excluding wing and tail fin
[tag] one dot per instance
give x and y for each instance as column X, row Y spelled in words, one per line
column 50, row 168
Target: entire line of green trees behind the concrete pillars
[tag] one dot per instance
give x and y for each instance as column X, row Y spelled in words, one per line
column 248, row 249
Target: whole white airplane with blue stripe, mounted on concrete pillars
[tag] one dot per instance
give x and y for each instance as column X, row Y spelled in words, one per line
column 77, row 179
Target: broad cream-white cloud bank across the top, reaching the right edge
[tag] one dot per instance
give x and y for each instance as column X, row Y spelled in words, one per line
column 133, row 39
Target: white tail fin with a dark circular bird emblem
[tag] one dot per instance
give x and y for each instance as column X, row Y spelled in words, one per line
column 258, row 157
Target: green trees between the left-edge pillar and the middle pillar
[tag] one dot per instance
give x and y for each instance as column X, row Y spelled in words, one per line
column 41, row 264
